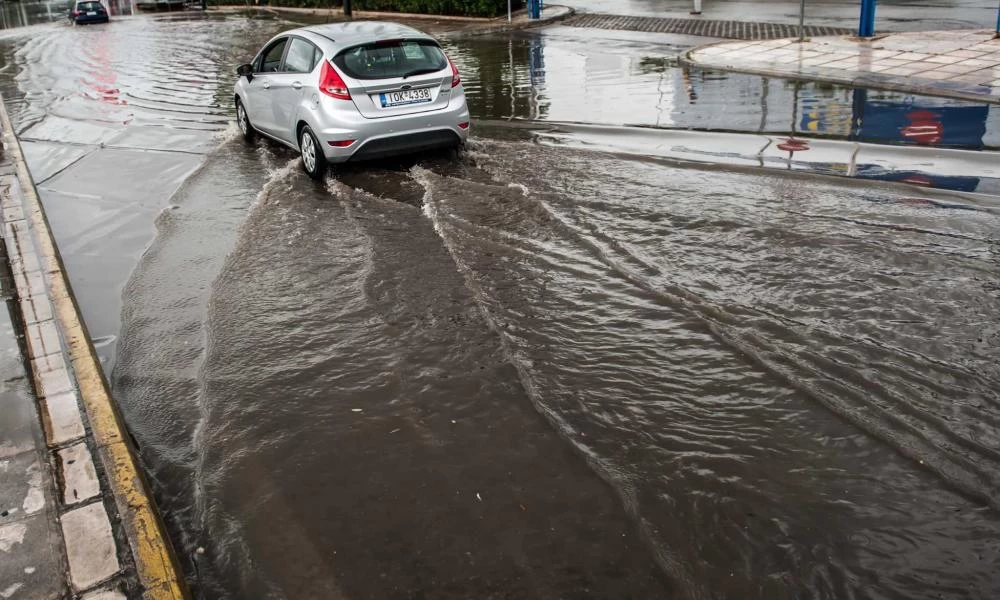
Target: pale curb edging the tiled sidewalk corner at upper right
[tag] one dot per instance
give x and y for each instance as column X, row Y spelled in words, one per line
column 858, row 80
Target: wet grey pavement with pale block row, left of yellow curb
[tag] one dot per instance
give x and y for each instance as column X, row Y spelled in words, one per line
column 56, row 539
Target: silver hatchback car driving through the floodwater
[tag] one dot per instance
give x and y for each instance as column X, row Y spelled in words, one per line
column 352, row 91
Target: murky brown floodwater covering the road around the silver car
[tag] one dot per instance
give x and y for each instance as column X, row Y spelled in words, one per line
column 535, row 370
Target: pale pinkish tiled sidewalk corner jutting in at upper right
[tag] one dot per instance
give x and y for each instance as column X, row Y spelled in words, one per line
column 961, row 64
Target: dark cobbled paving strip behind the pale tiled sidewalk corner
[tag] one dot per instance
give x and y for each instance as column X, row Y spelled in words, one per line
column 735, row 30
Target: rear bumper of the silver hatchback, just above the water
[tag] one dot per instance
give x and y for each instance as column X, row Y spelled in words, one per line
column 391, row 136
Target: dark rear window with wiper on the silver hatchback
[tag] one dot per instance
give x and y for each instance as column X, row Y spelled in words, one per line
column 396, row 58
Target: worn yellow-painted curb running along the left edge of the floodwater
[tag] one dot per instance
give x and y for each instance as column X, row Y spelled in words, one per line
column 155, row 564
